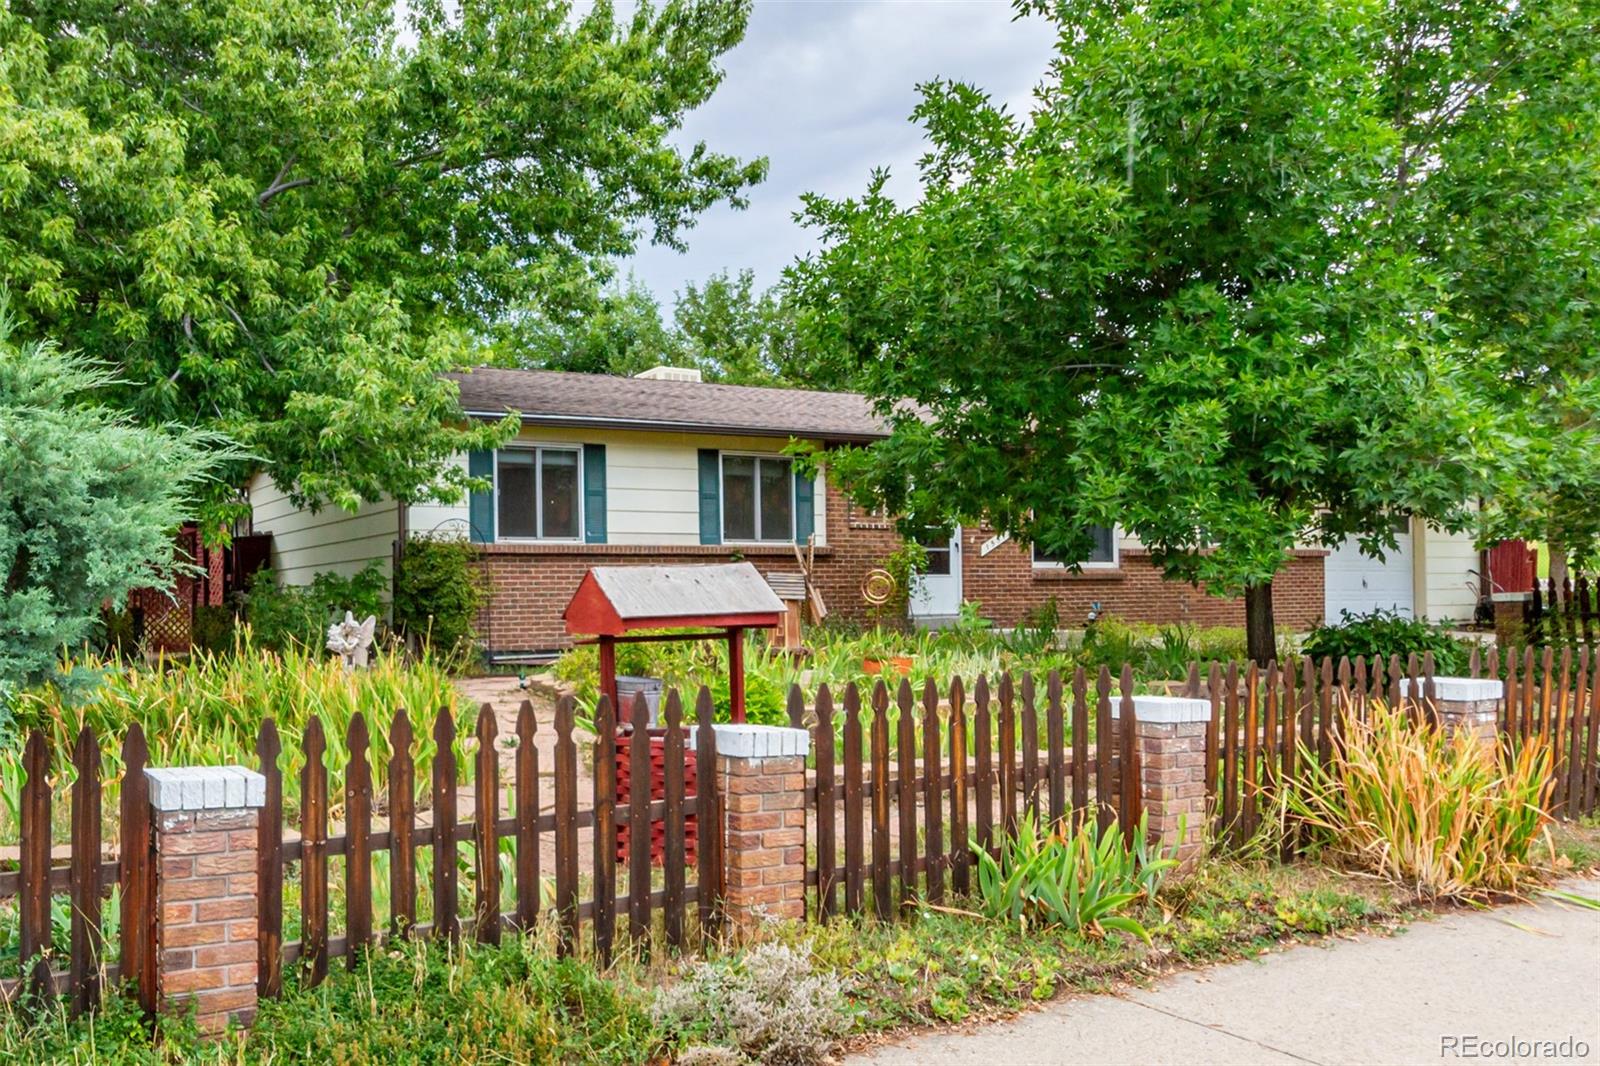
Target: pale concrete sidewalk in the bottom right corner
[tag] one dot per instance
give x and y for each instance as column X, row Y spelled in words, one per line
column 1470, row 976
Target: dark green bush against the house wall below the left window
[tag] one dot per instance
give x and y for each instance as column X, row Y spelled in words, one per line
column 439, row 593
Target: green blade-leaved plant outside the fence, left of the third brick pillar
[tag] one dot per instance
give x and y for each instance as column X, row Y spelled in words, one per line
column 1084, row 880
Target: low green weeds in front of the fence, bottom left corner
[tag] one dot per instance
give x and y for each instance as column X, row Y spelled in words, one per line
column 415, row 1003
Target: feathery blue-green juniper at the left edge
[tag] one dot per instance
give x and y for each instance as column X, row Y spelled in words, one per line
column 89, row 502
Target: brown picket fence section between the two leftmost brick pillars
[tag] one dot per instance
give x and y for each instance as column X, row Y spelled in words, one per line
column 490, row 824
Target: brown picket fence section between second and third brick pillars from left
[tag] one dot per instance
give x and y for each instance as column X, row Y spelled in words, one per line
column 982, row 766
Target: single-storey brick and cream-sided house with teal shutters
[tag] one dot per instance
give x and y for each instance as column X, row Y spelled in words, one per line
column 668, row 470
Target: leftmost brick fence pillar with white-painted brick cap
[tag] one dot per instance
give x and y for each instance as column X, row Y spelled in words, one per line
column 206, row 891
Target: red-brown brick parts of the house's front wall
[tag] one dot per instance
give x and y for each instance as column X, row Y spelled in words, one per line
column 532, row 583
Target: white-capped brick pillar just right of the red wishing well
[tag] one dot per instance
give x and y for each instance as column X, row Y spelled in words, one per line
column 761, row 772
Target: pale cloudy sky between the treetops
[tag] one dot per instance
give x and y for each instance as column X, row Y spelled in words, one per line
column 825, row 90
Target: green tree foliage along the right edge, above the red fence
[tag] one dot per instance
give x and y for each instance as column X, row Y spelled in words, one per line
column 1497, row 183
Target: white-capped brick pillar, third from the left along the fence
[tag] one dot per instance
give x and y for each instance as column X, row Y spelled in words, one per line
column 1172, row 767
